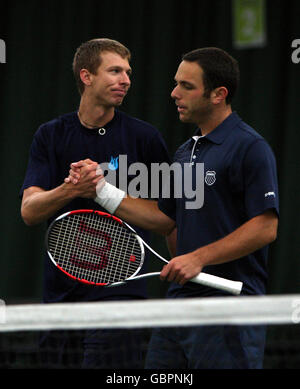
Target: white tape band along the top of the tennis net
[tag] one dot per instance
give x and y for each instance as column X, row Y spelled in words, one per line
column 238, row 310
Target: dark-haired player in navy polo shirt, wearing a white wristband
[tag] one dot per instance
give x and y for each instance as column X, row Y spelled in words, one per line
column 229, row 235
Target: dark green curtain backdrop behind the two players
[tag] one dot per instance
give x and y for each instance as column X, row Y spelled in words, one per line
column 36, row 85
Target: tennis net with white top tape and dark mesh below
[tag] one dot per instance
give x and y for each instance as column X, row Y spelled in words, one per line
column 23, row 326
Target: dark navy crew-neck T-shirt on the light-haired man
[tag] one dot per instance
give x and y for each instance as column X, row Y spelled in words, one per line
column 64, row 140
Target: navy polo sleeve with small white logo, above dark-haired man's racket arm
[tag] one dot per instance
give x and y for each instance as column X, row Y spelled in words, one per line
column 260, row 179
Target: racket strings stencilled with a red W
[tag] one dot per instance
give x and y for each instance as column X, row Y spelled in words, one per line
column 94, row 248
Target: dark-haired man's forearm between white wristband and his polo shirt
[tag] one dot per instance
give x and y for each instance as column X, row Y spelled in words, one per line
column 144, row 214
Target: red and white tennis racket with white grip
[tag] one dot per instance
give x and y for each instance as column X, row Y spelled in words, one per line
column 97, row 248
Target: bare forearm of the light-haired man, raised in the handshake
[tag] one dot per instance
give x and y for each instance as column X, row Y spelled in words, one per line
column 39, row 205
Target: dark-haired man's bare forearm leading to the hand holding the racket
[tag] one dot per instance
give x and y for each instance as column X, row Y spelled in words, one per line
column 251, row 236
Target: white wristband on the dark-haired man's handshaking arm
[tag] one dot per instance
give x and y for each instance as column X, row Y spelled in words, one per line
column 108, row 196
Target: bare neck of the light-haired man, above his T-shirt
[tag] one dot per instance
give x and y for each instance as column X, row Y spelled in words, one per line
column 92, row 116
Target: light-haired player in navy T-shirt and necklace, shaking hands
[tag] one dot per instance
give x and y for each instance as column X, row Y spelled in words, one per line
column 98, row 131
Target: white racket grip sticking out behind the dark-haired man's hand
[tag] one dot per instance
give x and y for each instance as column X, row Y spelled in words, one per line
column 233, row 287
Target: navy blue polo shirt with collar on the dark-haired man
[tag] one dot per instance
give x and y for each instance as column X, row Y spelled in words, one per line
column 240, row 182
